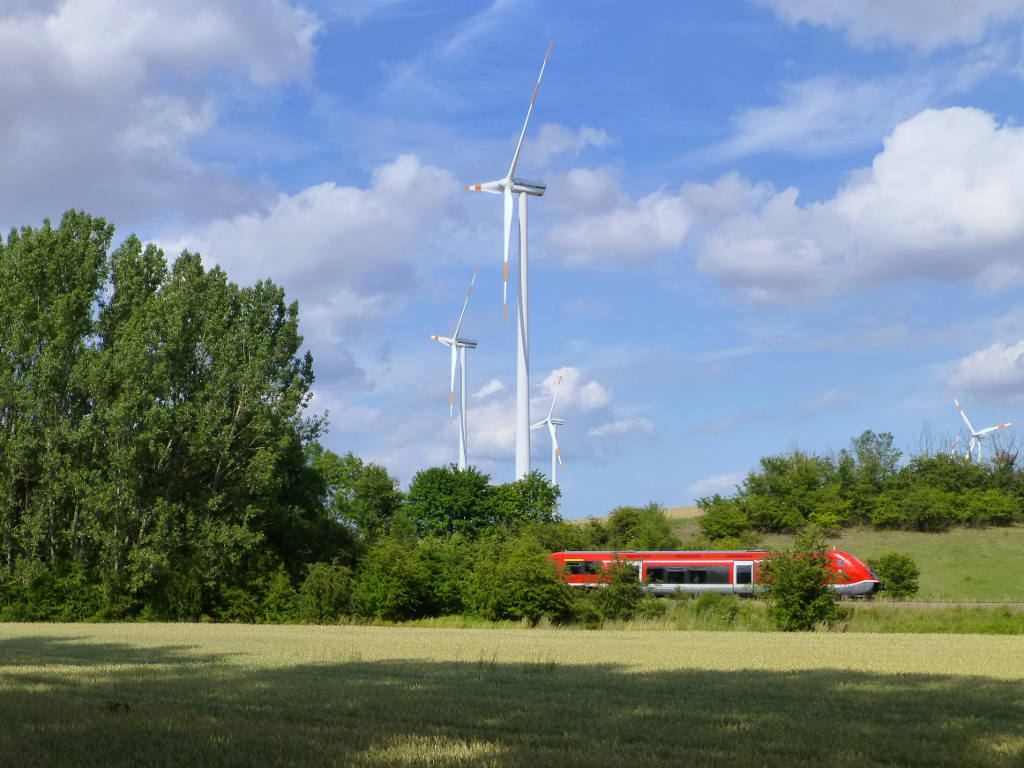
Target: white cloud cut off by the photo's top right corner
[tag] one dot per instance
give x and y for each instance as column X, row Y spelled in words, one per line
column 926, row 25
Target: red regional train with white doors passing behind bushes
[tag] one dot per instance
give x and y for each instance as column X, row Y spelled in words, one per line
column 732, row 573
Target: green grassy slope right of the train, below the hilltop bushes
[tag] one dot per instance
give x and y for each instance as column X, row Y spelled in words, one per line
column 960, row 565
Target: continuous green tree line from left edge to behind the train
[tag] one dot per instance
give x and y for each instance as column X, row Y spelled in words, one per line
column 157, row 461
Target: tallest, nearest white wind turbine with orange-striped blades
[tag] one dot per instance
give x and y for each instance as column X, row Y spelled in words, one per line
column 507, row 188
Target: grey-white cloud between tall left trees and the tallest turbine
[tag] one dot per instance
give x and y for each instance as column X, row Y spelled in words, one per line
column 347, row 253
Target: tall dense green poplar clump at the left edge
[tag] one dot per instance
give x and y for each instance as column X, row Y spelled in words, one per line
column 152, row 422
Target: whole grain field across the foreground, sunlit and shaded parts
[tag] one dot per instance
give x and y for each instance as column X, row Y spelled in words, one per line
column 235, row 696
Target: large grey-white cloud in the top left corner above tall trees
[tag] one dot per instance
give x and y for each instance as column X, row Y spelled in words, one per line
column 105, row 105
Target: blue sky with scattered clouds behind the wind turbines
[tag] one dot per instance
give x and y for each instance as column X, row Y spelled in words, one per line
column 771, row 225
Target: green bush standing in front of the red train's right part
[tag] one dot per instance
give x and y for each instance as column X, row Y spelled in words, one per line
column 798, row 586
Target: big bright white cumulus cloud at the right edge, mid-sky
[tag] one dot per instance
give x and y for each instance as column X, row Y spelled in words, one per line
column 943, row 201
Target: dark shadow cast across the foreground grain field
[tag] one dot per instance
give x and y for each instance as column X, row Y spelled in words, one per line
column 122, row 706
